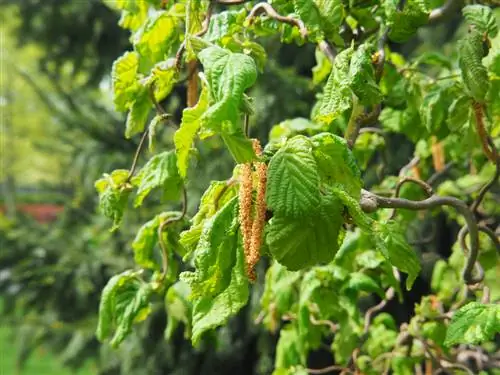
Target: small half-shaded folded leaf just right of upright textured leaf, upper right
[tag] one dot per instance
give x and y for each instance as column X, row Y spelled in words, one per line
column 362, row 77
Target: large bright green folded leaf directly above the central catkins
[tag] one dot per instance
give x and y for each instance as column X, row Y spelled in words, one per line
column 229, row 75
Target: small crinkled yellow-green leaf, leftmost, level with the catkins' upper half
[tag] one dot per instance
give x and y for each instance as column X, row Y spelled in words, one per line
column 113, row 193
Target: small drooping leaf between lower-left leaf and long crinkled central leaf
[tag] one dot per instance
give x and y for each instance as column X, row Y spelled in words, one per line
column 179, row 309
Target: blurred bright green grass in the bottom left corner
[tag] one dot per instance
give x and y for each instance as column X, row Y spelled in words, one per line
column 40, row 363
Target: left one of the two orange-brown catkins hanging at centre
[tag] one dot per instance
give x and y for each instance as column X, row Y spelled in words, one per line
column 245, row 214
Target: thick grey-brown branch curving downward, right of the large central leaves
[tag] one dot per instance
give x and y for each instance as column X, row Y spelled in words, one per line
column 370, row 202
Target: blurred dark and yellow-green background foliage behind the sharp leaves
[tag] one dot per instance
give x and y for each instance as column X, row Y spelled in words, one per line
column 60, row 133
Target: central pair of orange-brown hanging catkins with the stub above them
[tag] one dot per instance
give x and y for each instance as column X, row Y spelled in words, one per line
column 252, row 216
